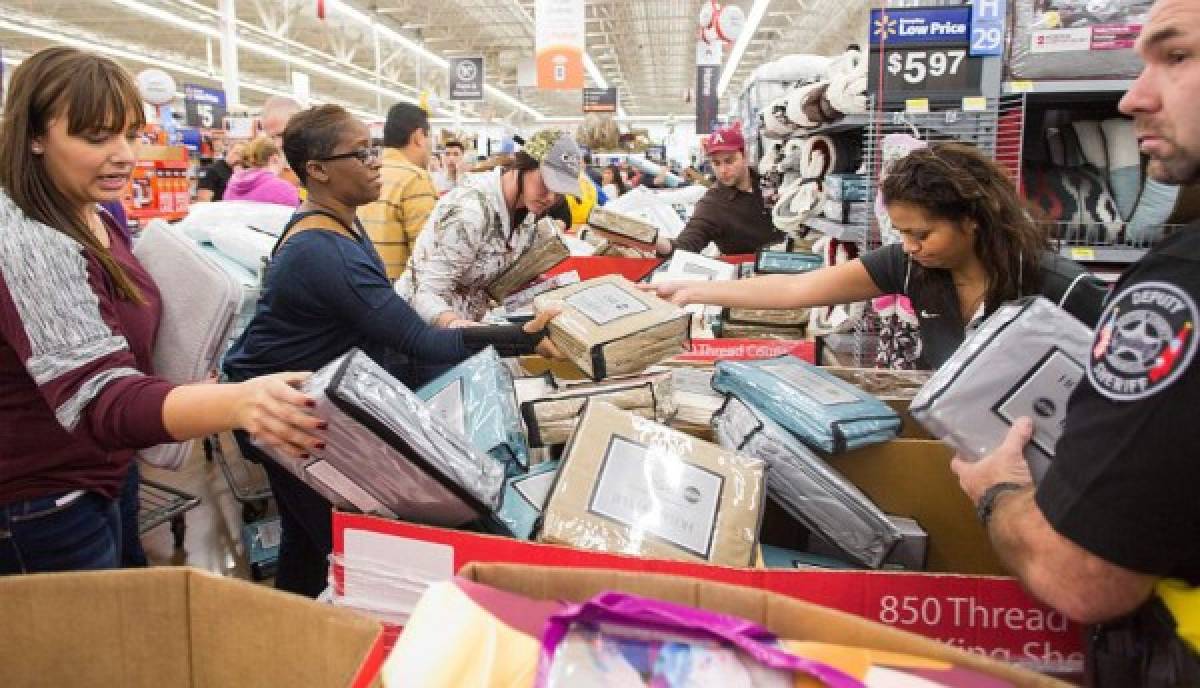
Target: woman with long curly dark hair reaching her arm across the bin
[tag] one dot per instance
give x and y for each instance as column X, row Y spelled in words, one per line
column 968, row 246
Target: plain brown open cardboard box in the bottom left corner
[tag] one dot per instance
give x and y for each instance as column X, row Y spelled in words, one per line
column 177, row 627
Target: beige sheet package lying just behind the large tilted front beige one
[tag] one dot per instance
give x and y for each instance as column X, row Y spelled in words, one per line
column 553, row 417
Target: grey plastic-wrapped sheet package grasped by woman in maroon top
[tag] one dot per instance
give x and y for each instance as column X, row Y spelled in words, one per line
column 388, row 454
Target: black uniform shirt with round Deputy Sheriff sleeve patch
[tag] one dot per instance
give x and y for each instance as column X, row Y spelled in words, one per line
column 1126, row 481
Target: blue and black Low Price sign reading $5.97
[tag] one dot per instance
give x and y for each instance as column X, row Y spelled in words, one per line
column 925, row 53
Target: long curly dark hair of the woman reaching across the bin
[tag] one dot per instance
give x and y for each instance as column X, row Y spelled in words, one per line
column 958, row 183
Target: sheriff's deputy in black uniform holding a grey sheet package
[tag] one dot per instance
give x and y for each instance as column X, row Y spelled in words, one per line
column 1112, row 536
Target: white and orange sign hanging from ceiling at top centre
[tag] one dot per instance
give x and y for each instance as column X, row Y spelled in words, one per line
column 560, row 35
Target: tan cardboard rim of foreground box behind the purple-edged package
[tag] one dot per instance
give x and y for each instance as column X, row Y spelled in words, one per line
column 787, row 618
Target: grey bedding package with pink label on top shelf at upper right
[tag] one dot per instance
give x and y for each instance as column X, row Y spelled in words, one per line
column 1073, row 40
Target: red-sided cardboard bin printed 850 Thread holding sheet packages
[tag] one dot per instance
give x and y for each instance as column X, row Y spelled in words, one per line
column 963, row 601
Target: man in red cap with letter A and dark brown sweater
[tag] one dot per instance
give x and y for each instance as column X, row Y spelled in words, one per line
column 733, row 213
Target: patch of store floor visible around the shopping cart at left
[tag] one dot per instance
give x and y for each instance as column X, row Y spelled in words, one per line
column 213, row 536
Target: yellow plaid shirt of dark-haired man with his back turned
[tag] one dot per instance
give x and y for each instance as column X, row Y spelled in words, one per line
column 405, row 205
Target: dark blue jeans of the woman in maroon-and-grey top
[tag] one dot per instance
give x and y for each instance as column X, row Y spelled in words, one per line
column 52, row 535
